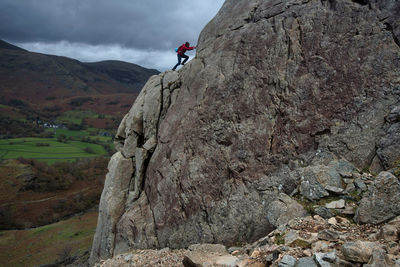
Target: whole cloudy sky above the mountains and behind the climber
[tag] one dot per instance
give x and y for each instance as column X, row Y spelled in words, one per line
column 143, row 32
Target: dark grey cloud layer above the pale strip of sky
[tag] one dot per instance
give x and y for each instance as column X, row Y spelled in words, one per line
column 149, row 24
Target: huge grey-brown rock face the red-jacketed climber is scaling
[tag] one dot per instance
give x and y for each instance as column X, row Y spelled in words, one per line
column 281, row 95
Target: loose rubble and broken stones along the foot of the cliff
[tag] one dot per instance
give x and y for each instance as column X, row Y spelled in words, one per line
column 297, row 243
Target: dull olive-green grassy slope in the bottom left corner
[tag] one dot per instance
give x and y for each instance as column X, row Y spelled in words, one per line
column 47, row 244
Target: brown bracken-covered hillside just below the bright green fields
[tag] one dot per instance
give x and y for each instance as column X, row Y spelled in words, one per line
column 35, row 194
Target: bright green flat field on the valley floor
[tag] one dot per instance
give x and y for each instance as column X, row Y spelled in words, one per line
column 48, row 149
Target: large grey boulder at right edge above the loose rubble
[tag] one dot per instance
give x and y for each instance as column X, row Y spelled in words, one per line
column 381, row 202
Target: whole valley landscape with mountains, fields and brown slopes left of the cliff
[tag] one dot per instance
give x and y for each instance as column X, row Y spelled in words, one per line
column 58, row 117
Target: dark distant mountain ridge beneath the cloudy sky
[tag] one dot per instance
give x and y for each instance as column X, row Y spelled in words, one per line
column 36, row 78
